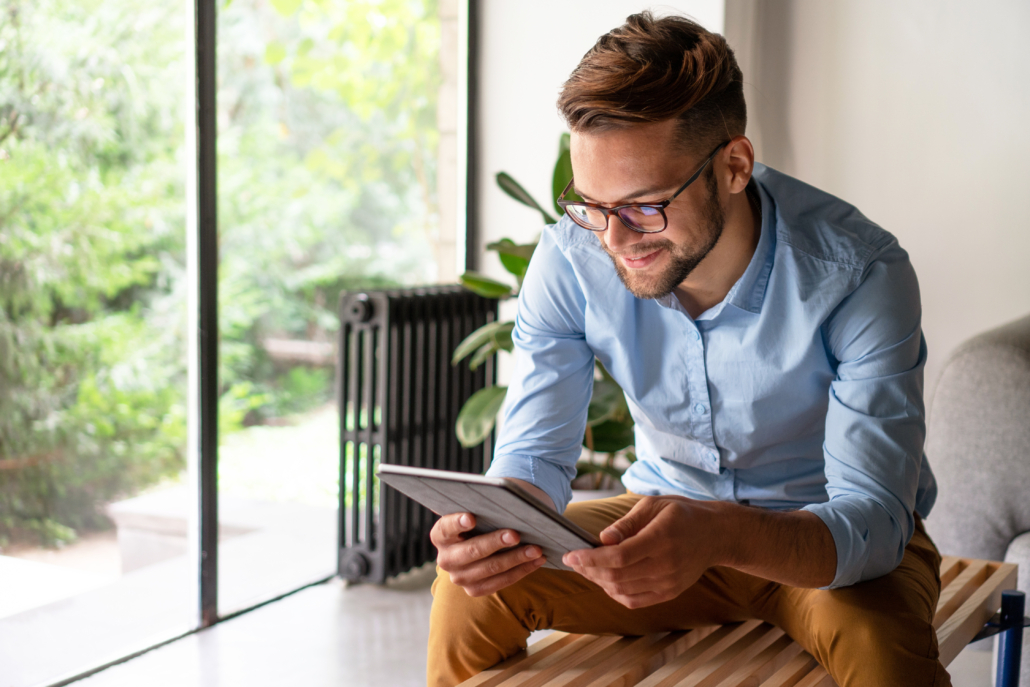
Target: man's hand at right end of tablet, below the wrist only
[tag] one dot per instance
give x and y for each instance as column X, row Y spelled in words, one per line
column 654, row 554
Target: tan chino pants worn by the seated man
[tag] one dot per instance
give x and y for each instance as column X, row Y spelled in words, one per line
column 872, row 634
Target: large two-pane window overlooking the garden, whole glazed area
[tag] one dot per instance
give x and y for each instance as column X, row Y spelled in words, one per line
column 329, row 125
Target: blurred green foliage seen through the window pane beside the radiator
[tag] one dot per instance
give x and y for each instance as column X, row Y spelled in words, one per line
column 327, row 159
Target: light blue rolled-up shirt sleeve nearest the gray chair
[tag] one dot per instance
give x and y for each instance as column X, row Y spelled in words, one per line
column 876, row 421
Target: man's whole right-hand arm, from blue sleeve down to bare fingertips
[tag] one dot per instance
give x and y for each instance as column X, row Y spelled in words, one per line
column 874, row 445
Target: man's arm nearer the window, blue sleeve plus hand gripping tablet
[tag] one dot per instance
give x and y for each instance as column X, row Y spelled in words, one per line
column 542, row 433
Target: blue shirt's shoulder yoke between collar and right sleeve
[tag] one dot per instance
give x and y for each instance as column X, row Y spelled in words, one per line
column 816, row 226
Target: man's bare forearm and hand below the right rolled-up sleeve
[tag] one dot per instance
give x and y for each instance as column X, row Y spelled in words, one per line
column 665, row 544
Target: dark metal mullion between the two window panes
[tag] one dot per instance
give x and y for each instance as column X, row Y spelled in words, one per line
column 207, row 17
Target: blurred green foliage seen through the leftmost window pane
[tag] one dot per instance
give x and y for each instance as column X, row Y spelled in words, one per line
column 92, row 381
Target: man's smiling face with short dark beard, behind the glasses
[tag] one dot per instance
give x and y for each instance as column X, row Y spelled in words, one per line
column 641, row 164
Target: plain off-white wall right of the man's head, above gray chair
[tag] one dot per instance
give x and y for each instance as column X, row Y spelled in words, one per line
column 917, row 112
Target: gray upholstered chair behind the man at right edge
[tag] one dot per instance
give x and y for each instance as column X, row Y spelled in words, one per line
column 979, row 444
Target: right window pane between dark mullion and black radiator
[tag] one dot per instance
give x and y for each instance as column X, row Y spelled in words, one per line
column 327, row 183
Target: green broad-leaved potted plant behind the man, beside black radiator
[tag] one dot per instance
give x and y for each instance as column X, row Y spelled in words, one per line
column 609, row 433
